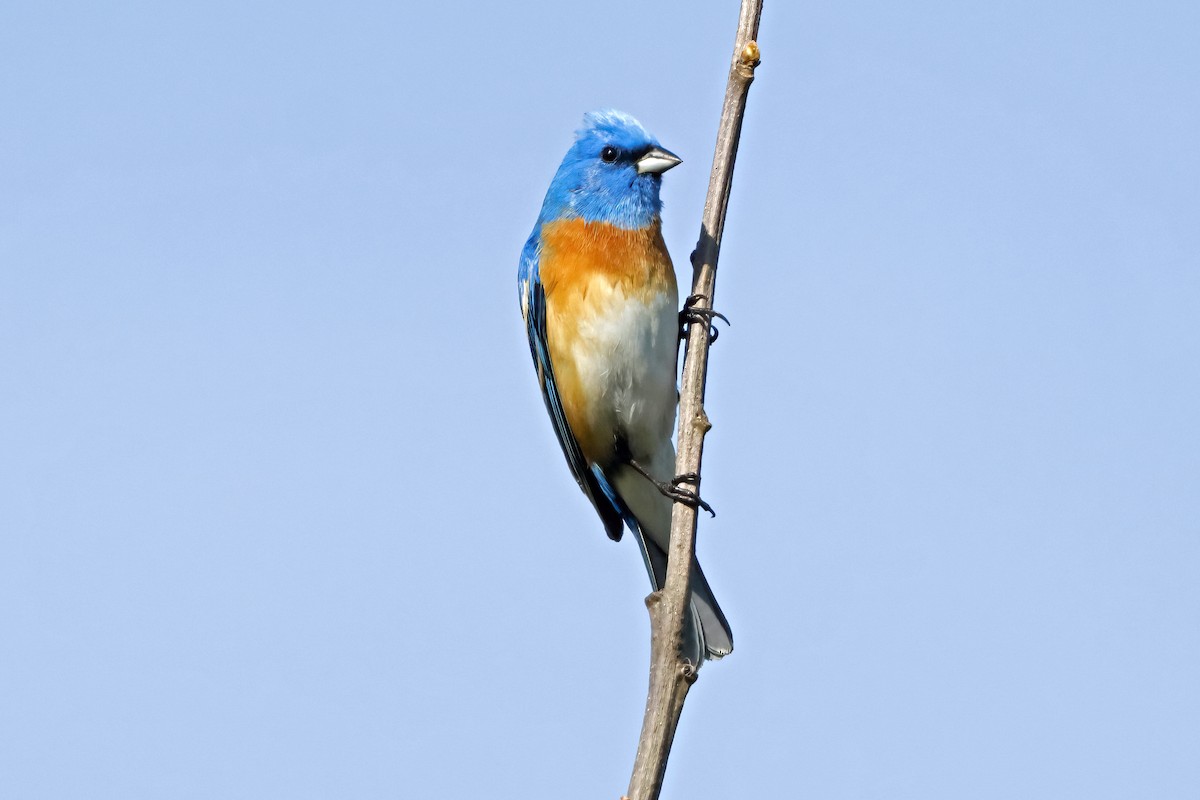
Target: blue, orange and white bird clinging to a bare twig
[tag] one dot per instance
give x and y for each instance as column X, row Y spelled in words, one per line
column 601, row 305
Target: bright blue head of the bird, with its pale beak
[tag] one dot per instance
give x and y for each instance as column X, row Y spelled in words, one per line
column 611, row 175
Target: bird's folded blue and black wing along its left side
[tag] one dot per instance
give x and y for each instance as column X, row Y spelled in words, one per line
column 533, row 308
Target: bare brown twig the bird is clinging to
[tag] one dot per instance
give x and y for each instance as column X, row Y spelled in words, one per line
column 670, row 675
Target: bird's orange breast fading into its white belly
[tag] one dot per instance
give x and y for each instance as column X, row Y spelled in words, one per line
column 613, row 334
